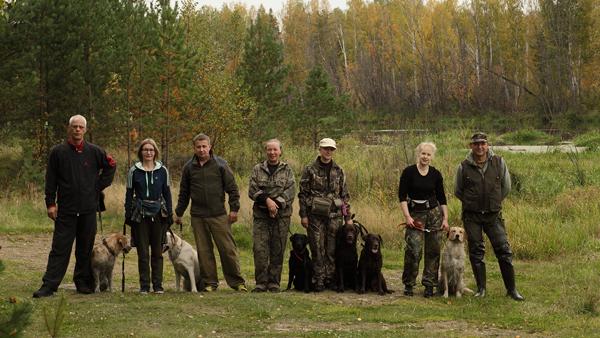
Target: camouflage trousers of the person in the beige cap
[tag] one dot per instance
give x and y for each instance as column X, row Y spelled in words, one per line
column 321, row 238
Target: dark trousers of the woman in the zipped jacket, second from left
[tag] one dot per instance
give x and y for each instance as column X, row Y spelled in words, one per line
column 149, row 237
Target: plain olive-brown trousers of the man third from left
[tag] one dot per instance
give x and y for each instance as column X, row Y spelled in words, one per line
column 207, row 229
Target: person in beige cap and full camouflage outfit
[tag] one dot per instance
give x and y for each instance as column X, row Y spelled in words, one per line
column 324, row 208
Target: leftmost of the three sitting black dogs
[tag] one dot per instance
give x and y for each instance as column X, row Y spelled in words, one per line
column 300, row 264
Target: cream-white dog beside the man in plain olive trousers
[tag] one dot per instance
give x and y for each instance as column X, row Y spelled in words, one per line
column 185, row 263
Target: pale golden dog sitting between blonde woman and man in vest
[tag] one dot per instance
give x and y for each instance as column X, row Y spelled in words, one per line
column 453, row 264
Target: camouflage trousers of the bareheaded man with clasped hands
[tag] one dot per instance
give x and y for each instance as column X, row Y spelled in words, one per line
column 270, row 238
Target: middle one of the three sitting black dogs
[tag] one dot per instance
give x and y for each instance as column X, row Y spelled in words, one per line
column 346, row 257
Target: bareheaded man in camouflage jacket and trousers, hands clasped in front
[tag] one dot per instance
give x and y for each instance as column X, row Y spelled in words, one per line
column 272, row 188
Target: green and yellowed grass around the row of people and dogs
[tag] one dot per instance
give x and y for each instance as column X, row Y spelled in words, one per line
column 552, row 219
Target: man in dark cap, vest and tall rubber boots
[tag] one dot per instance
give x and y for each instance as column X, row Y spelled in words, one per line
column 482, row 182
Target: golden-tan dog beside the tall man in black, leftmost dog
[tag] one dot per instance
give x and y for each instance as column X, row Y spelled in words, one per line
column 103, row 259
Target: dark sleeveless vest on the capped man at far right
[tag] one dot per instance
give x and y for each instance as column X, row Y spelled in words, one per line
column 482, row 192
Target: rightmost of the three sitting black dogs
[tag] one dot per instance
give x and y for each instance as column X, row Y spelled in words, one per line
column 369, row 266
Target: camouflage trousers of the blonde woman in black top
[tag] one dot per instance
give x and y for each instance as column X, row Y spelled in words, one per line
column 418, row 241
